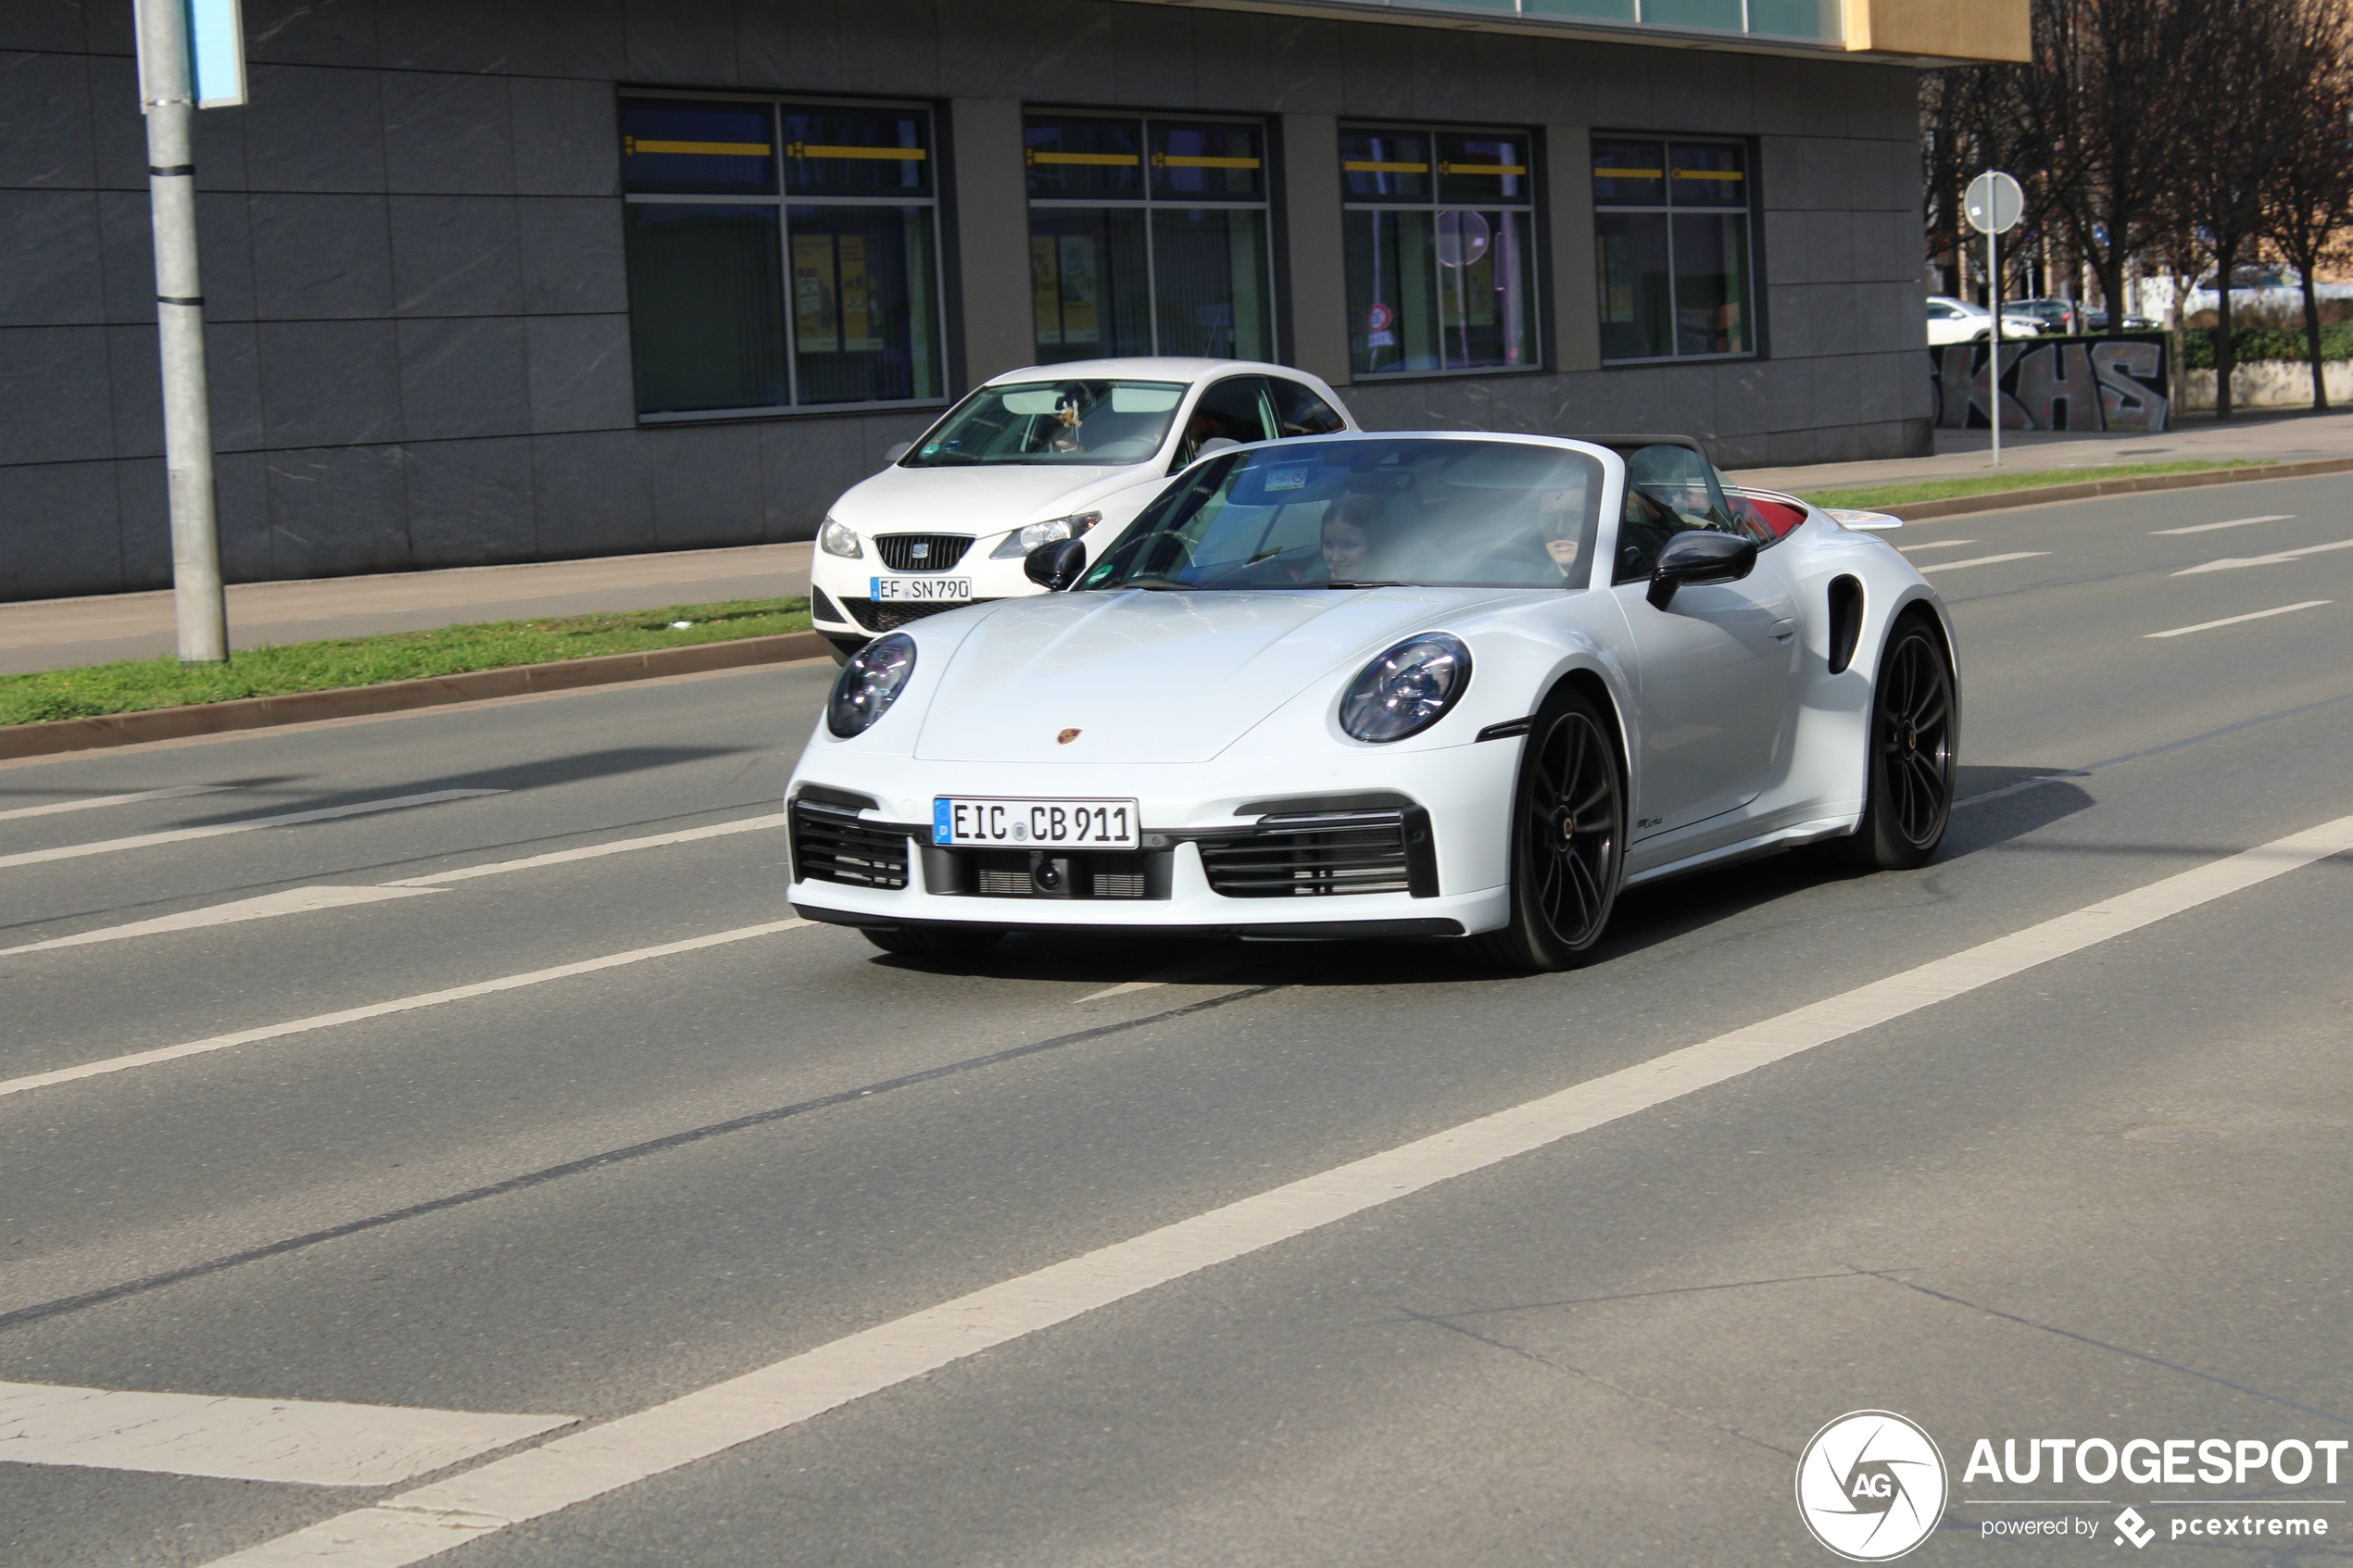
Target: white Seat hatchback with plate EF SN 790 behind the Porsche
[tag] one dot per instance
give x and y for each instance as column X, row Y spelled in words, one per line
column 1034, row 457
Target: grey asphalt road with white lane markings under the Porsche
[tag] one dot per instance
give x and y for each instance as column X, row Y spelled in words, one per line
column 2088, row 1198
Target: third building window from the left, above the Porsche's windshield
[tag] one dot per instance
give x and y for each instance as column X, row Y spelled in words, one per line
column 1441, row 250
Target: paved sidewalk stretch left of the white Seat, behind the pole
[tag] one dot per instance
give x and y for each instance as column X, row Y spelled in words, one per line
column 60, row 634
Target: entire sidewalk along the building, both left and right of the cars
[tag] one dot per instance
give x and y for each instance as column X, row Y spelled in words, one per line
column 58, row 634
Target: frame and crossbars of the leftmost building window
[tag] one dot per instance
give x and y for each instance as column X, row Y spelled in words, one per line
column 782, row 199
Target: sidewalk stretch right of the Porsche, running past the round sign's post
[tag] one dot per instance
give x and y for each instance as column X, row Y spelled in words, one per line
column 2281, row 436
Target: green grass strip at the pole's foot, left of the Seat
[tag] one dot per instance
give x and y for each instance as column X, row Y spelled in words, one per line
column 135, row 685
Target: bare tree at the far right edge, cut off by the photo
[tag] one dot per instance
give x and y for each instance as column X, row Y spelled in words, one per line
column 2309, row 196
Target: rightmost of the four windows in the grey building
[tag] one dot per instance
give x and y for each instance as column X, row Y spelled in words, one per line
column 1672, row 229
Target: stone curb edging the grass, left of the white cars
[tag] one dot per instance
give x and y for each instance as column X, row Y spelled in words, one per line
column 399, row 697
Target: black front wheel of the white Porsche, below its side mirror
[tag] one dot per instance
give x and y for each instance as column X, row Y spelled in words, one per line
column 1568, row 840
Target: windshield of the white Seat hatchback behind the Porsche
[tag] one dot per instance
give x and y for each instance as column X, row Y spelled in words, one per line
column 1053, row 422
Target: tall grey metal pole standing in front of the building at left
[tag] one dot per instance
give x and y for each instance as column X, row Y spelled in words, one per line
column 168, row 98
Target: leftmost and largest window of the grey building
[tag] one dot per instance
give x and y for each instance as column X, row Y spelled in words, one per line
column 780, row 255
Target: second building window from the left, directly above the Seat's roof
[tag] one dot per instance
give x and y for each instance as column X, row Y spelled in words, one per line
column 1149, row 239
